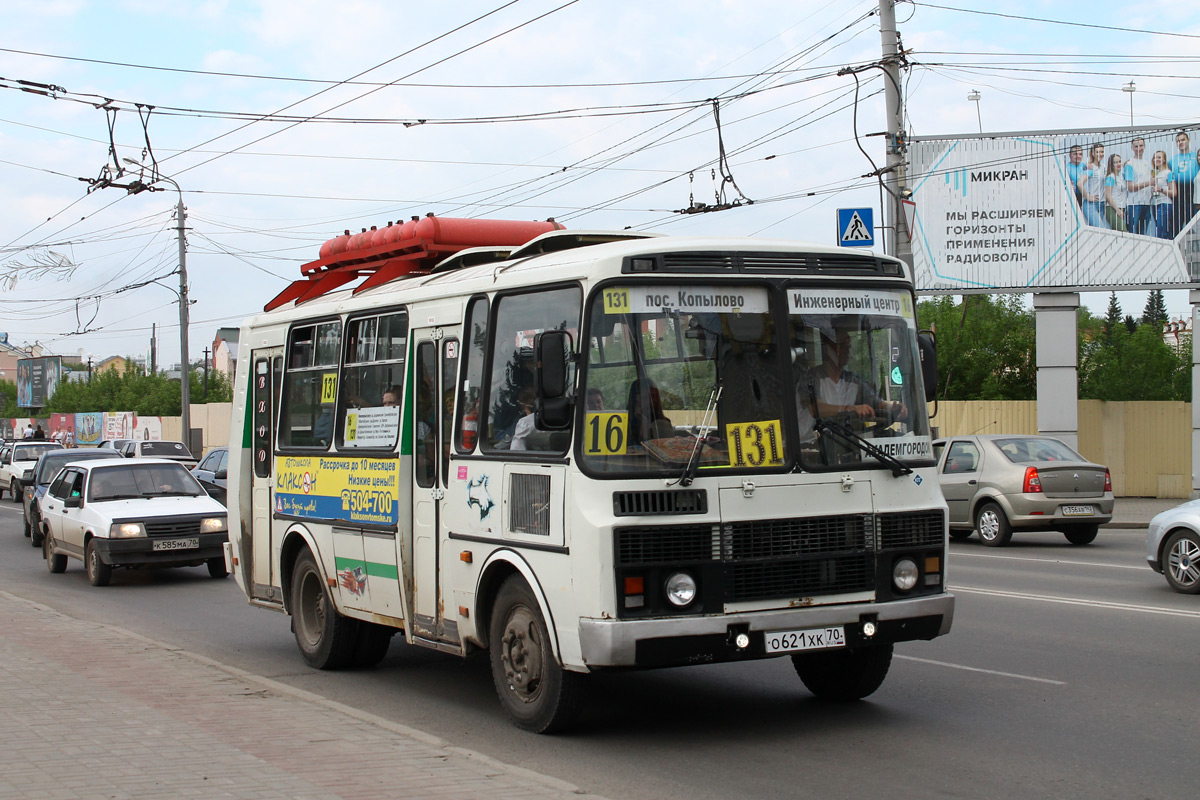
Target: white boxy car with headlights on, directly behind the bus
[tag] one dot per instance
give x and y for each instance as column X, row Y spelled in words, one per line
column 143, row 513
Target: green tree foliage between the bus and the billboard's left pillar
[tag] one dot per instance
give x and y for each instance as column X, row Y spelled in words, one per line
column 985, row 347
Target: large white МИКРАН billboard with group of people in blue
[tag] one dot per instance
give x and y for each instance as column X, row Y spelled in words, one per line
column 1070, row 209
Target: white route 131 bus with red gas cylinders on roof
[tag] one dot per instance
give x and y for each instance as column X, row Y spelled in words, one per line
column 591, row 453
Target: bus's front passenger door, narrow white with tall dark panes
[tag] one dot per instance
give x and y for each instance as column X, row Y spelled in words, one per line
column 435, row 375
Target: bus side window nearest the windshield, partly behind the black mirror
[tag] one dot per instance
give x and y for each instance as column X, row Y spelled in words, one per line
column 519, row 320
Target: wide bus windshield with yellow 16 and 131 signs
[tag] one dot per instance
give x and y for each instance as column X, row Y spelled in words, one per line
column 700, row 378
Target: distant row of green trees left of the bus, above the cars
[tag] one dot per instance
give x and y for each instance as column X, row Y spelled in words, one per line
column 135, row 392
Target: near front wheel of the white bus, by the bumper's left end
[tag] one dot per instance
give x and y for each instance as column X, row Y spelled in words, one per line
column 535, row 689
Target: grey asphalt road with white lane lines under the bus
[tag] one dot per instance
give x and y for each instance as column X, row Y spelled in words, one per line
column 1070, row 673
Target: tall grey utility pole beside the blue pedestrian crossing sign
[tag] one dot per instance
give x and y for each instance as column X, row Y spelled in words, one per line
column 896, row 179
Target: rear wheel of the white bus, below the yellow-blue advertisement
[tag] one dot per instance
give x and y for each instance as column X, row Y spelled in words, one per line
column 326, row 637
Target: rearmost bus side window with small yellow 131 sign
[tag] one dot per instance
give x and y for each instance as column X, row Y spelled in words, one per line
column 310, row 386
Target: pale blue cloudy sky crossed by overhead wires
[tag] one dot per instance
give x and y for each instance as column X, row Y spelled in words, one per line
column 286, row 124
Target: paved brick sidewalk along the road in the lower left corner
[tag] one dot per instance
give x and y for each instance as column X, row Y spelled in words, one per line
column 95, row 712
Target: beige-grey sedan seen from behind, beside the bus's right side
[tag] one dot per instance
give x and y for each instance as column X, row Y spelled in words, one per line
column 999, row 484
